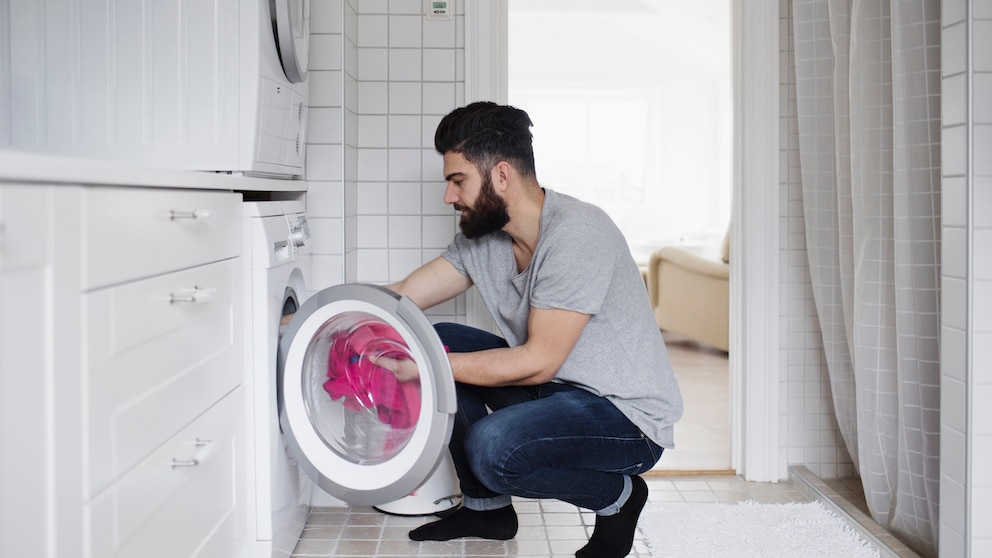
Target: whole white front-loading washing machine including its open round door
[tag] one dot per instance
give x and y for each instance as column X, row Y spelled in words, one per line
column 327, row 426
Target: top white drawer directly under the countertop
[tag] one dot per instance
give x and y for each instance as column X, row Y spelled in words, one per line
column 131, row 233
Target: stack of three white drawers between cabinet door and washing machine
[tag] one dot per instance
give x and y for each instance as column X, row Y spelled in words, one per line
column 161, row 279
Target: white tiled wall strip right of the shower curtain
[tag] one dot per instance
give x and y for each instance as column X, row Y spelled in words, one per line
column 966, row 306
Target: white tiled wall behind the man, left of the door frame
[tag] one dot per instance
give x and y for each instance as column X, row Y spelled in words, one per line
column 382, row 76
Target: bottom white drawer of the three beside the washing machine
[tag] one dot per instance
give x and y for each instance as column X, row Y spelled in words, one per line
column 180, row 499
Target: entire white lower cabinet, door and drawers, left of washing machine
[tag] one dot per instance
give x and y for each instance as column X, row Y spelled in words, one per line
column 120, row 372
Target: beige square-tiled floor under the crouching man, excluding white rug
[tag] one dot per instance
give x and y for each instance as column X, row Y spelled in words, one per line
column 548, row 528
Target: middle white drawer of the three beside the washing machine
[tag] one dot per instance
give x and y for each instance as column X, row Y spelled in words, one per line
column 159, row 352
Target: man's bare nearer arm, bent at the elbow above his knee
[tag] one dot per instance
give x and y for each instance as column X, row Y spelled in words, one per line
column 551, row 335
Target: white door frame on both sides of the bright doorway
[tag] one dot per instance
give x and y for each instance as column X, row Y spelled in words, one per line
column 757, row 449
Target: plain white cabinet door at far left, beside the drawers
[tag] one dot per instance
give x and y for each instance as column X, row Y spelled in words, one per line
column 25, row 453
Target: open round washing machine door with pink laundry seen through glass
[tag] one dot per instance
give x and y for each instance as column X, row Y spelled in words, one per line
column 367, row 398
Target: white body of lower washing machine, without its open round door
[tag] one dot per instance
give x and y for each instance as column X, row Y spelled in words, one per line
column 277, row 265
